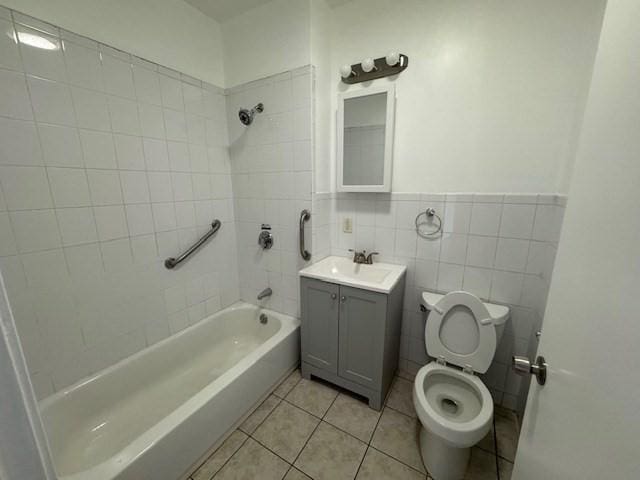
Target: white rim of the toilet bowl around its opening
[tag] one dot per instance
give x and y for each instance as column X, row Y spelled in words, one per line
column 460, row 434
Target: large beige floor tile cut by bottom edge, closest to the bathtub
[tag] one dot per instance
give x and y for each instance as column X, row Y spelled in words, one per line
column 253, row 461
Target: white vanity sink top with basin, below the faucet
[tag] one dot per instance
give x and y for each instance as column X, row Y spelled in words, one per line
column 379, row 277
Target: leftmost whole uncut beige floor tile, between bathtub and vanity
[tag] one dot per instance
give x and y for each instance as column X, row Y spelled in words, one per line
column 286, row 430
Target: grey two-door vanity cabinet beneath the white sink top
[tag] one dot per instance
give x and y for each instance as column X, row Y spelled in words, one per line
column 351, row 336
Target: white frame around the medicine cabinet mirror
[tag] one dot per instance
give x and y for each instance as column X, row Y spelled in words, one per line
column 390, row 90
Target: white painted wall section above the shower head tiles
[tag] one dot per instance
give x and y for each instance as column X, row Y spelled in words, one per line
column 266, row 40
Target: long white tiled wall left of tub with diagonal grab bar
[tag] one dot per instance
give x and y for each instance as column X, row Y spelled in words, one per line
column 108, row 165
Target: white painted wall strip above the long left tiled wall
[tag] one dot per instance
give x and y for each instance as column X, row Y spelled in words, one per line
column 169, row 32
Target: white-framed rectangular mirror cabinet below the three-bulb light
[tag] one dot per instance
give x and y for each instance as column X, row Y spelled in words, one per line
column 365, row 138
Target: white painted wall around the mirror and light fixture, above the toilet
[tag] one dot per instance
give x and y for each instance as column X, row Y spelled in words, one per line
column 494, row 92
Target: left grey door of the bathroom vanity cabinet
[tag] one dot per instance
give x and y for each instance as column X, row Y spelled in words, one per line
column 320, row 324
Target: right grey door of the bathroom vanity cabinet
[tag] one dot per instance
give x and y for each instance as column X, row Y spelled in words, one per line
column 362, row 327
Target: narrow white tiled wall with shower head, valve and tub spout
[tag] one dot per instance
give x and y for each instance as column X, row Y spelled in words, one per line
column 271, row 165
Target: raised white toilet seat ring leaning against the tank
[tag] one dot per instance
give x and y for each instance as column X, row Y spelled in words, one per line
column 479, row 359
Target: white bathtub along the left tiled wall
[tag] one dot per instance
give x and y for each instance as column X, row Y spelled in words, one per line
column 155, row 414
